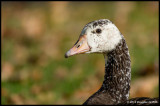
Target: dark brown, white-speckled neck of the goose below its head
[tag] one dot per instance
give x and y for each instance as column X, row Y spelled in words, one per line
column 117, row 73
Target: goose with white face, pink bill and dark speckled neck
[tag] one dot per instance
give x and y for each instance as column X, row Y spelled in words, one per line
column 103, row 37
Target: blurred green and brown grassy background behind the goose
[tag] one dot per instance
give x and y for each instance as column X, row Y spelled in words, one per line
column 36, row 35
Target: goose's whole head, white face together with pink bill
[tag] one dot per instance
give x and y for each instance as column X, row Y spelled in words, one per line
column 99, row 36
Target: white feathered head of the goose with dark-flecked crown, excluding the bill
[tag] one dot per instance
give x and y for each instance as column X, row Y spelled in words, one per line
column 102, row 35
